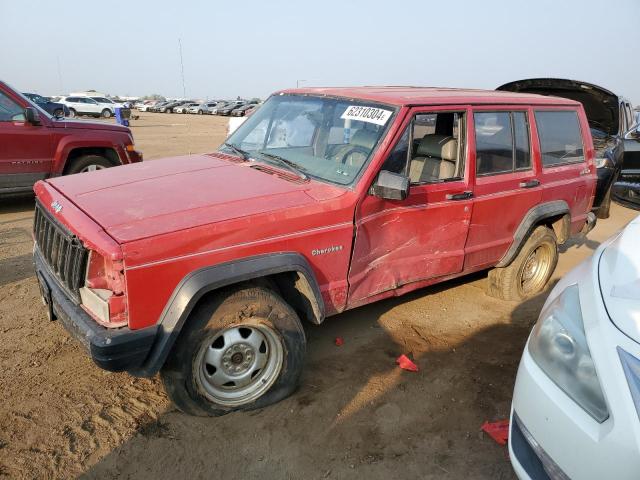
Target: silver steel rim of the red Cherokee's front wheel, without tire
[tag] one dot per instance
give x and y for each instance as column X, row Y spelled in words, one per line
column 239, row 364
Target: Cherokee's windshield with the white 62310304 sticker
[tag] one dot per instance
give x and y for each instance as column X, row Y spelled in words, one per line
column 326, row 138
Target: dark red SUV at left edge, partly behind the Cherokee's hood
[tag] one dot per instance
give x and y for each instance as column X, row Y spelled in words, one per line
column 35, row 145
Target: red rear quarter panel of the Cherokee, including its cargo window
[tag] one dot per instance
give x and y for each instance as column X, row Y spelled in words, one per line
column 567, row 160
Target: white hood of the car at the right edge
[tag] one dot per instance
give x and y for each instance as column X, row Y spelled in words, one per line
column 619, row 274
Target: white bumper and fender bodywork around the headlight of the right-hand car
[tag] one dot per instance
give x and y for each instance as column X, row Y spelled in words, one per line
column 562, row 433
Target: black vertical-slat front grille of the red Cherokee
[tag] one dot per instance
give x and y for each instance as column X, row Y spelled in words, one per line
column 61, row 250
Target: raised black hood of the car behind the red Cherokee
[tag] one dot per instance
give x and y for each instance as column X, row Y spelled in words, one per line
column 600, row 105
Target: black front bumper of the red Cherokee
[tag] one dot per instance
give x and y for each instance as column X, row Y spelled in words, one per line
column 118, row 349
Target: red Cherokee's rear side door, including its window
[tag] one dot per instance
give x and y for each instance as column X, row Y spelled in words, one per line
column 507, row 182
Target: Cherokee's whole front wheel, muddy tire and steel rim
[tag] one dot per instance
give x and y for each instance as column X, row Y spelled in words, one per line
column 239, row 350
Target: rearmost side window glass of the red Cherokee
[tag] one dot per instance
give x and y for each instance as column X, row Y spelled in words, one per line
column 560, row 137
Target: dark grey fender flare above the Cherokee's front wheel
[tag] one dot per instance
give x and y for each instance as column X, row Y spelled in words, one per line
column 207, row 279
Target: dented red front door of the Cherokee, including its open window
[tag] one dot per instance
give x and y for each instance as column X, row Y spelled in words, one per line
column 405, row 244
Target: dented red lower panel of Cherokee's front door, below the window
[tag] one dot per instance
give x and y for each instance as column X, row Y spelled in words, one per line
column 402, row 242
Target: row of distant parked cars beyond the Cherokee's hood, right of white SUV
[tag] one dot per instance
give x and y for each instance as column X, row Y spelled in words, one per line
column 237, row 108
